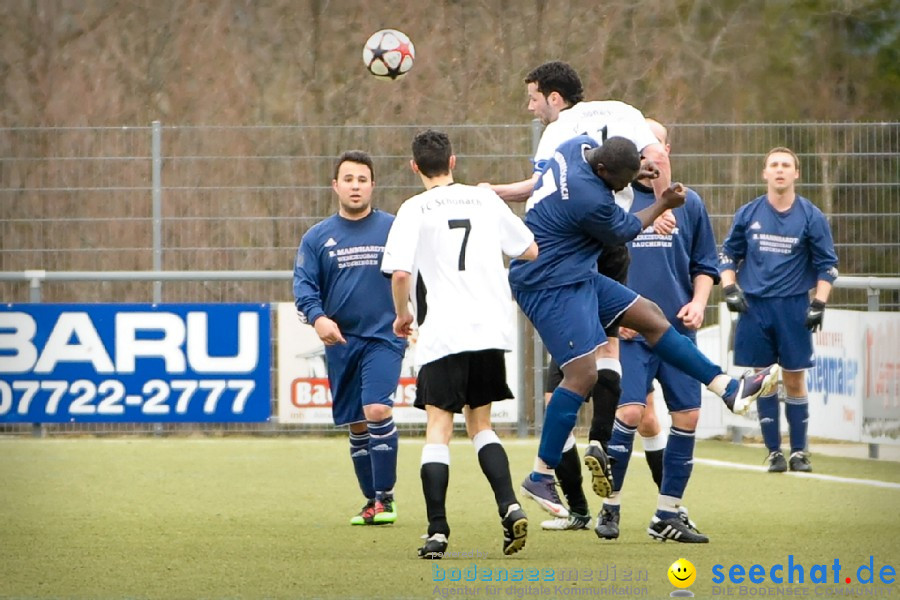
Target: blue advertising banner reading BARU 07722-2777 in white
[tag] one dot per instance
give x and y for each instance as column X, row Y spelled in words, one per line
column 128, row 363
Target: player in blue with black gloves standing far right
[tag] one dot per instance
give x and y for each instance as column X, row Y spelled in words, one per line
column 779, row 248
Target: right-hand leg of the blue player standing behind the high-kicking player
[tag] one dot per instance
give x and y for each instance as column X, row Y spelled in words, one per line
column 682, row 395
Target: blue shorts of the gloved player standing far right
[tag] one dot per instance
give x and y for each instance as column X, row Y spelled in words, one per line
column 773, row 330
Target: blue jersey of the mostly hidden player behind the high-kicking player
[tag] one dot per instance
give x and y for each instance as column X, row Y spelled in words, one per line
column 663, row 266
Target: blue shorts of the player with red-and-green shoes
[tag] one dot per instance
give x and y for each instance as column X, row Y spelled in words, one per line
column 361, row 372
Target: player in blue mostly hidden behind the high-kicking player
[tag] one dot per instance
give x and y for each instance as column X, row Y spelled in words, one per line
column 677, row 271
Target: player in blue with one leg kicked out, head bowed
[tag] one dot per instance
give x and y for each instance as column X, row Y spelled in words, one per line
column 573, row 213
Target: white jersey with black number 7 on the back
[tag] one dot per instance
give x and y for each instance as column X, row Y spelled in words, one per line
column 451, row 239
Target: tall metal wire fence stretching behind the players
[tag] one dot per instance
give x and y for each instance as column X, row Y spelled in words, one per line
column 192, row 198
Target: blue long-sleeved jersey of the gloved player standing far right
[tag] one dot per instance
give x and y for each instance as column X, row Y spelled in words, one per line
column 779, row 254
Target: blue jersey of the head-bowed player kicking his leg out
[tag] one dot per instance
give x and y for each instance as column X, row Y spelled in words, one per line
column 572, row 212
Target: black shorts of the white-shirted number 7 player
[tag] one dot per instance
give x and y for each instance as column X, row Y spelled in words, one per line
column 470, row 379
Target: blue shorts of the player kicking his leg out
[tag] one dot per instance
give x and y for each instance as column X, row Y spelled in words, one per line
column 571, row 318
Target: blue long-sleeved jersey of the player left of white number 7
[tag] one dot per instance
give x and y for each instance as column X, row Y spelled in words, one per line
column 338, row 274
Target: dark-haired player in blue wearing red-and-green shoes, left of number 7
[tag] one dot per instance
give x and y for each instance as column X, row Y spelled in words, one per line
column 340, row 291
